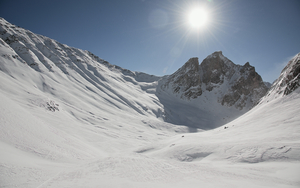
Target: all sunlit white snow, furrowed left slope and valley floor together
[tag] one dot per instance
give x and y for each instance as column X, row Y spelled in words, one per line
column 70, row 119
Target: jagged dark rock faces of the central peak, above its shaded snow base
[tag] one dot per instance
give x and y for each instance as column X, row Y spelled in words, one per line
column 234, row 85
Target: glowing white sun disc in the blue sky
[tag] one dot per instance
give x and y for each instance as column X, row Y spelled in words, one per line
column 198, row 18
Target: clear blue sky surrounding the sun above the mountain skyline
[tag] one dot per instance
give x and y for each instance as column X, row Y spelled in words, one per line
column 156, row 37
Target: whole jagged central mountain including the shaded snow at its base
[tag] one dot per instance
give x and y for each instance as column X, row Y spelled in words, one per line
column 214, row 92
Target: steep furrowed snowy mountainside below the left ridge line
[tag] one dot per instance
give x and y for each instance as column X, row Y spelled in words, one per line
column 52, row 62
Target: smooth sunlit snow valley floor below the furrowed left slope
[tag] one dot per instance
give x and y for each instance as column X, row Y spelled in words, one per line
column 42, row 148
